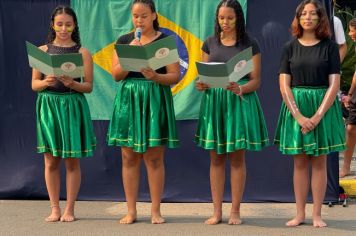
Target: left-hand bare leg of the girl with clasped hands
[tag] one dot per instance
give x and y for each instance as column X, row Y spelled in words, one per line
column 301, row 187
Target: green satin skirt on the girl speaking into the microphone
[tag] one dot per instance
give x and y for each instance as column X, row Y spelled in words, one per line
column 143, row 116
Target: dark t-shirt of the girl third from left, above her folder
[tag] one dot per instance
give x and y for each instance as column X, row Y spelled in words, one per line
column 220, row 53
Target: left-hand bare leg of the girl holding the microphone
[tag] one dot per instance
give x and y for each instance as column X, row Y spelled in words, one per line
column 131, row 162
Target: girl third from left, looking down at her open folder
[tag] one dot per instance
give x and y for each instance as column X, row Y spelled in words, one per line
column 226, row 126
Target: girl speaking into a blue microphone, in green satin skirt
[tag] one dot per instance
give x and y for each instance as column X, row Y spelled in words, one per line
column 143, row 118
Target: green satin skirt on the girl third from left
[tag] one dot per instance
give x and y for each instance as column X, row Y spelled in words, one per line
column 228, row 123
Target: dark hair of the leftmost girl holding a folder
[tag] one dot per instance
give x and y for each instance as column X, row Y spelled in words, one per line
column 63, row 10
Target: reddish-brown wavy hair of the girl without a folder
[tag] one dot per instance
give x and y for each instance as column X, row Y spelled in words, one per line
column 323, row 28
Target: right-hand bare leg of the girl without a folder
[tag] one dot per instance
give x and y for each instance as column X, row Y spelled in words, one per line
column 318, row 184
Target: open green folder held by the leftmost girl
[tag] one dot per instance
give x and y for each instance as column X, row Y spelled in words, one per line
column 70, row 64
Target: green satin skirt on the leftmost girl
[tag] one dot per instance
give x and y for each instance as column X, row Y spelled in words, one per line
column 64, row 126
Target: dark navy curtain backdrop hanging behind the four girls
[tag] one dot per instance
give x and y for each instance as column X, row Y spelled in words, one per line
column 269, row 174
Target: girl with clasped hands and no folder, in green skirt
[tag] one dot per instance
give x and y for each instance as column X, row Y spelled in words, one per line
column 310, row 123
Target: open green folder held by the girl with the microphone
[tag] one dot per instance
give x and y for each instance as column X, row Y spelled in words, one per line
column 154, row 55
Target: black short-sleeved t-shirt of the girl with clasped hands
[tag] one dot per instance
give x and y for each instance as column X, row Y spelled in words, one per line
column 310, row 65
